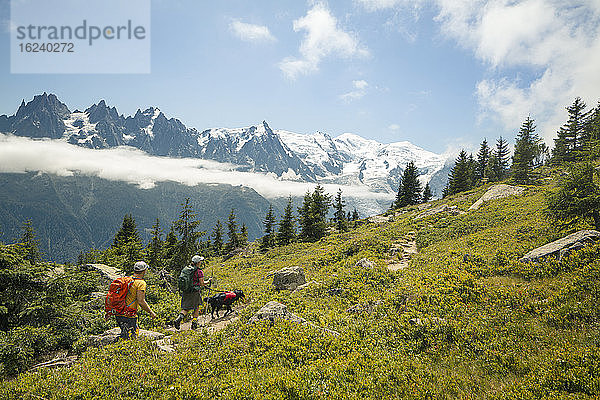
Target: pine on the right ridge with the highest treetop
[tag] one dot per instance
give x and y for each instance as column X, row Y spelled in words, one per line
column 568, row 144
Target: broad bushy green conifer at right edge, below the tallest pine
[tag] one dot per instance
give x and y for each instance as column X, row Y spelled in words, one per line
column 578, row 195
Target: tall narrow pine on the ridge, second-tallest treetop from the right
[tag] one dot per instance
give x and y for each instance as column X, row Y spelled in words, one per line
column 526, row 147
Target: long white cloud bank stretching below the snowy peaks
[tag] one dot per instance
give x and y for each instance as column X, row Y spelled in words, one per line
column 127, row 164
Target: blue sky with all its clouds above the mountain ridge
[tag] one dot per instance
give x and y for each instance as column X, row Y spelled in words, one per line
column 441, row 74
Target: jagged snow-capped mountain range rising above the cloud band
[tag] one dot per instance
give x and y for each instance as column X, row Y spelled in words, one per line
column 347, row 159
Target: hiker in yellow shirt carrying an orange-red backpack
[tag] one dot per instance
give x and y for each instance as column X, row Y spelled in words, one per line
column 124, row 297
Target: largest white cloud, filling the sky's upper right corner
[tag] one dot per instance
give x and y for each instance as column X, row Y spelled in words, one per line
column 558, row 41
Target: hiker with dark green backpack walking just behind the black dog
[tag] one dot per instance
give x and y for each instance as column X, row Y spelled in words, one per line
column 191, row 282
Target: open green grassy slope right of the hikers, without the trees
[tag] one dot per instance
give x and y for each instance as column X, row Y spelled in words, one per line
column 464, row 320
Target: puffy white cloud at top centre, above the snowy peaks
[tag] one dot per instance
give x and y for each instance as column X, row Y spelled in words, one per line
column 323, row 38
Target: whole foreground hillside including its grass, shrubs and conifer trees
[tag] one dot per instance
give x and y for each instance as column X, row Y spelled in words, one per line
column 467, row 315
